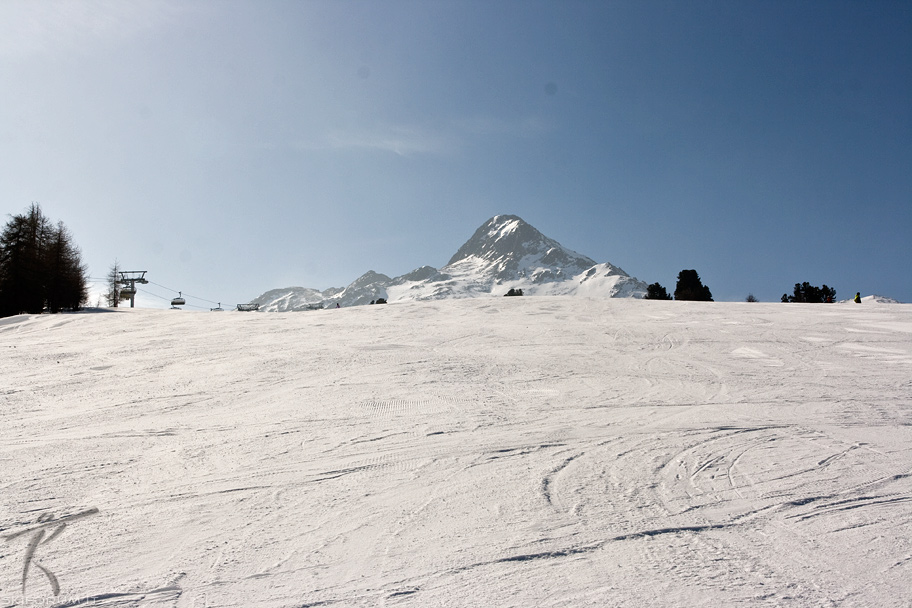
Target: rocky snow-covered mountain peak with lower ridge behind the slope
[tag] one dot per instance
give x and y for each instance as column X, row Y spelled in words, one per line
column 505, row 252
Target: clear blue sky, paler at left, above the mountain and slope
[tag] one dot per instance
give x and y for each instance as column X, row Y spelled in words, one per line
column 229, row 148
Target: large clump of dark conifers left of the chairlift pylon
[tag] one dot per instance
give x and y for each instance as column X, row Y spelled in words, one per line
column 41, row 268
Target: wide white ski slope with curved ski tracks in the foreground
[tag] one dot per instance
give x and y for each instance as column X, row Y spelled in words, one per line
column 478, row 452
